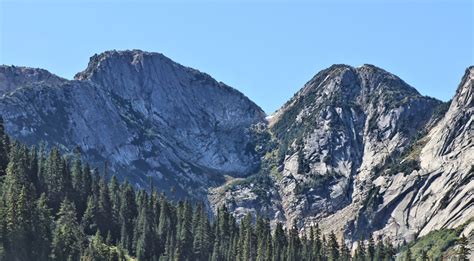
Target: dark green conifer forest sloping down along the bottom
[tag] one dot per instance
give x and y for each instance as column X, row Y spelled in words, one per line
column 57, row 208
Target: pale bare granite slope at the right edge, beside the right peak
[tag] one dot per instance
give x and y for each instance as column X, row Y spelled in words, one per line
column 441, row 194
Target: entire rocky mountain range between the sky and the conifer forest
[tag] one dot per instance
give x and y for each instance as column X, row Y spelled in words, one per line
column 356, row 150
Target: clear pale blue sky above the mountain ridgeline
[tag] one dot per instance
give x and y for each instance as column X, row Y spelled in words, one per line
column 265, row 49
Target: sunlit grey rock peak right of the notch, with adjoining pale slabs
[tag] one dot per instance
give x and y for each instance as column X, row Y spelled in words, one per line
column 348, row 158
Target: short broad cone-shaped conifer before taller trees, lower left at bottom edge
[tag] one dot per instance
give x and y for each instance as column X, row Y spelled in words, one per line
column 68, row 238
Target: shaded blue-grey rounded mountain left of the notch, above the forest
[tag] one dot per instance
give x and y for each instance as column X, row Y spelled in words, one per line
column 144, row 114
